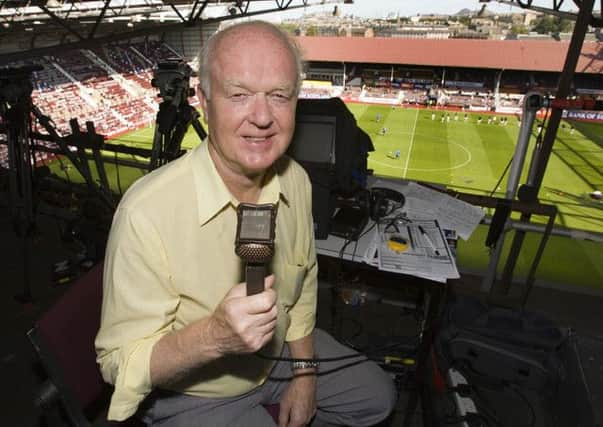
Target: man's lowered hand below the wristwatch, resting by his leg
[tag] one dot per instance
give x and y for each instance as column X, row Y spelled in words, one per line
column 298, row 404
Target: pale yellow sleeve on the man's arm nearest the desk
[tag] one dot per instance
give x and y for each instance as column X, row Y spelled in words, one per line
column 303, row 313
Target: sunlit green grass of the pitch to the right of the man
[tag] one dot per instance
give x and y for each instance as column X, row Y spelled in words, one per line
column 472, row 157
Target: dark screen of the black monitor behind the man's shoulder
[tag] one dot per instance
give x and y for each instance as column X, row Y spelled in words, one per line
column 314, row 139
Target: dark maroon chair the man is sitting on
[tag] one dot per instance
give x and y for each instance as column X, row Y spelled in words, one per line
column 63, row 338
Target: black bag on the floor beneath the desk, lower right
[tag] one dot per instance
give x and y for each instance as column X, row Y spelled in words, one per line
column 517, row 347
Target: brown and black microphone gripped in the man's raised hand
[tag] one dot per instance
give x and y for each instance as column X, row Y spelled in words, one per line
column 254, row 243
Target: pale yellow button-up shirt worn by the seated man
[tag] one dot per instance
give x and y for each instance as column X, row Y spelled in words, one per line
column 170, row 260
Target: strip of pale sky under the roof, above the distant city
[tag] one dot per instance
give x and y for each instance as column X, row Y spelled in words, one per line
column 383, row 8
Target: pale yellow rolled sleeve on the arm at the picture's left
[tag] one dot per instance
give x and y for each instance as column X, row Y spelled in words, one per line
column 138, row 309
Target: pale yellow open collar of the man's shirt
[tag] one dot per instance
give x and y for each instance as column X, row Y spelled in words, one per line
column 206, row 177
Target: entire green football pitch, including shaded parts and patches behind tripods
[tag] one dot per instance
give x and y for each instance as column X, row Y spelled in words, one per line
column 471, row 156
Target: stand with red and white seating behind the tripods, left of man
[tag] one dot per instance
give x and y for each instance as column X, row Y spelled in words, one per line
column 109, row 86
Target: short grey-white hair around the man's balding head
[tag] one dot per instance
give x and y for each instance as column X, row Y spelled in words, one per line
column 208, row 51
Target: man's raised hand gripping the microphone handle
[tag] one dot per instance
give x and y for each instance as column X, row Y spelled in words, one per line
column 244, row 324
